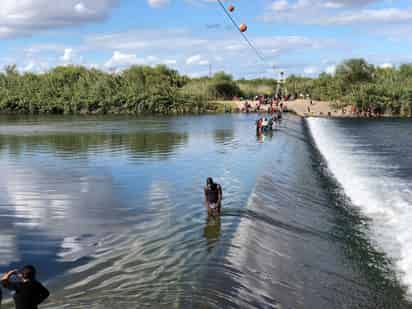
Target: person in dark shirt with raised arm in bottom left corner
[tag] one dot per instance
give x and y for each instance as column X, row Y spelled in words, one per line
column 28, row 292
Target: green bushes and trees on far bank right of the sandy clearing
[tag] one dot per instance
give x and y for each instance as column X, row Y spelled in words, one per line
column 363, row 85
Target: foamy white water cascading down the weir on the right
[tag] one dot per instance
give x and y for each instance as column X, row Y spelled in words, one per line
column 368, row 180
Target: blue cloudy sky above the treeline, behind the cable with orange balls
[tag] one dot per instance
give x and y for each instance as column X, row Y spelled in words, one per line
column 304, row 37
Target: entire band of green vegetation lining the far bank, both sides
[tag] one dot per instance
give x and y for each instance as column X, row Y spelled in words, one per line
column 143, row 89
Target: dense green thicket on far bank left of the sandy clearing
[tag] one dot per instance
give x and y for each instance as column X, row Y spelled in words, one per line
column 74, row 90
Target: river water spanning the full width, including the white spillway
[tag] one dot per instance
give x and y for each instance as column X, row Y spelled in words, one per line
column 110, row 210
